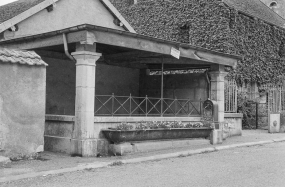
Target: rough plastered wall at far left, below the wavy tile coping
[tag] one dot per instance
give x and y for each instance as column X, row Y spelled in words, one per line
column 22, row 109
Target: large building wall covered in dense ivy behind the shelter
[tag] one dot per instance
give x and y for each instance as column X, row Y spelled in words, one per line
column 213, row 25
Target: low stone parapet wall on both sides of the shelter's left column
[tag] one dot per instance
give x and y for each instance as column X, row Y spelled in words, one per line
column 59, row 129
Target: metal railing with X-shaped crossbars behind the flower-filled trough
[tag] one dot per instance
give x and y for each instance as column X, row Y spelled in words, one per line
column 112, row 105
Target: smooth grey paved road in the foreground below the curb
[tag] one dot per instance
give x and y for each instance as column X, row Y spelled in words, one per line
column 251, row 166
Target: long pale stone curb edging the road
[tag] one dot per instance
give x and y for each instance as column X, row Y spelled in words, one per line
column 135, row 160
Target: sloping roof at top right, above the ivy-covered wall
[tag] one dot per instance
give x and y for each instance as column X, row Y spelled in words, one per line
column 257, row 9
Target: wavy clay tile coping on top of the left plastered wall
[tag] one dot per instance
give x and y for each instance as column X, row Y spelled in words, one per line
column 22, row 57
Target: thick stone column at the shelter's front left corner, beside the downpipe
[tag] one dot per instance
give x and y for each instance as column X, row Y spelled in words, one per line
column 84, row 141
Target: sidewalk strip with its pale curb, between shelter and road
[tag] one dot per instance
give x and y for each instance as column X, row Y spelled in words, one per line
column 55, row 163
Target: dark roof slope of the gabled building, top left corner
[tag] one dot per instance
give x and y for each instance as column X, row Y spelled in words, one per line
column 13, row 9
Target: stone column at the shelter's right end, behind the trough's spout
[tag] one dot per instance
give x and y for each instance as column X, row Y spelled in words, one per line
column 217, row 95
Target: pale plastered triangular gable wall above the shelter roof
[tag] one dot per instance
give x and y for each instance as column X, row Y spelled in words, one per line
column 66, row 14
